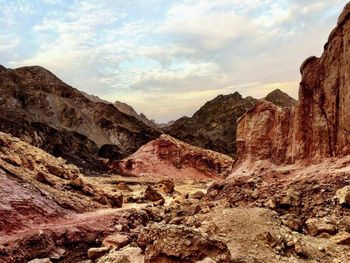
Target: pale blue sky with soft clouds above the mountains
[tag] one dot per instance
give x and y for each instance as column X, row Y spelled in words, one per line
column 166, row 58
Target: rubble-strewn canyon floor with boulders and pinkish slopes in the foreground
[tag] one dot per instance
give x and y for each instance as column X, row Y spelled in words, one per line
column 280, row 214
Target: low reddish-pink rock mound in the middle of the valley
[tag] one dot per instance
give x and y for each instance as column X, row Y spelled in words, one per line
column 167, row 156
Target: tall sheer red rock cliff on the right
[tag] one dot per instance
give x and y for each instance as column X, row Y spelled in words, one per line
column 319, row 126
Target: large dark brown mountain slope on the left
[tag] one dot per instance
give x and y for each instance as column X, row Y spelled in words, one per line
column 41, row 109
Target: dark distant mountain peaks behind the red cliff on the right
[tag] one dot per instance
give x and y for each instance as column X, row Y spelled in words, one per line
column 213, row 126
